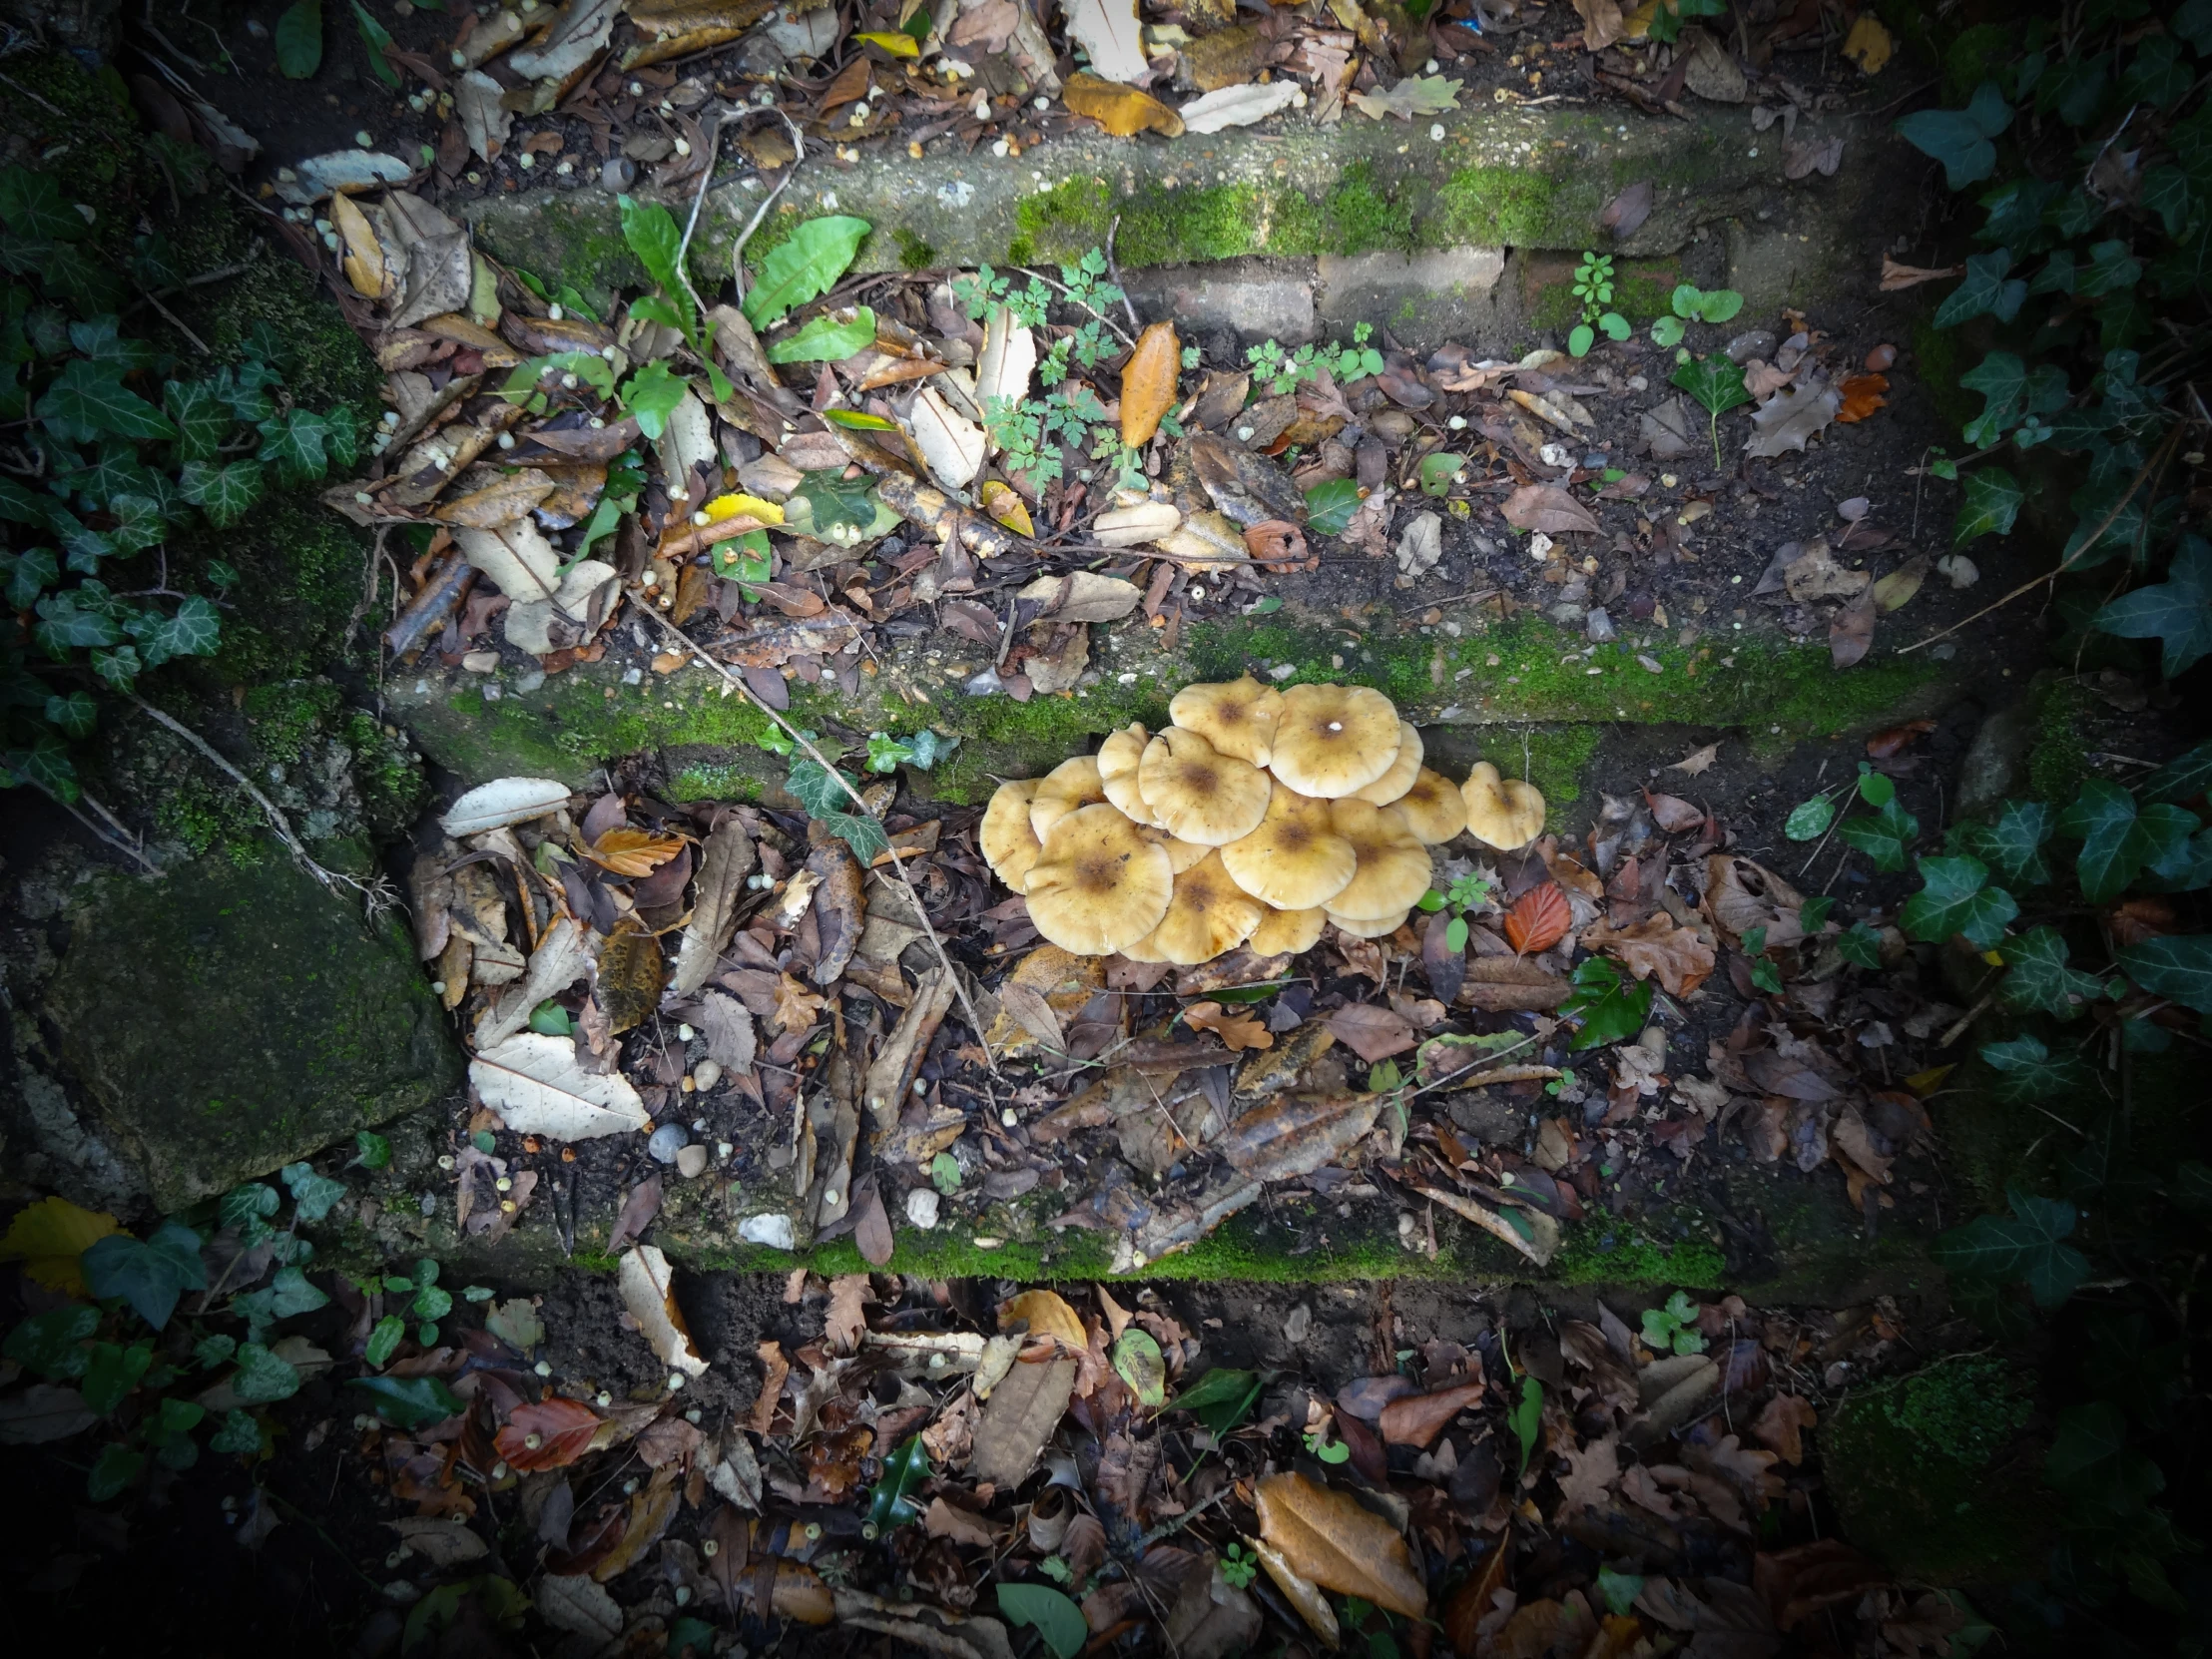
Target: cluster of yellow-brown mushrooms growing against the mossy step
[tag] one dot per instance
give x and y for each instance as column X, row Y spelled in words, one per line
column 1255, row 820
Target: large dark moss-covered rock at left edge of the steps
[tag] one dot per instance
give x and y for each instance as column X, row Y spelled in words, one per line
column 225, row 1021
